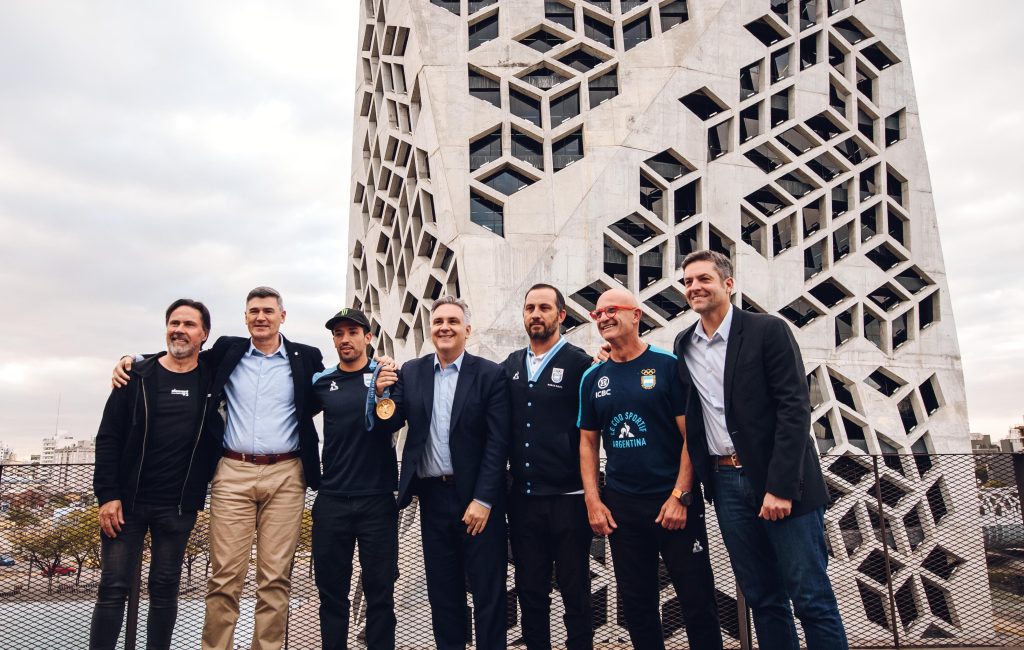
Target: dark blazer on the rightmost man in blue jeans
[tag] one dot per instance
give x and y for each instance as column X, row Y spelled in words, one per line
column 767, row 412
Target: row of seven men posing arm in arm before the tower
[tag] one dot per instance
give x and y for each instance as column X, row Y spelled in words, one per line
column 729, row 411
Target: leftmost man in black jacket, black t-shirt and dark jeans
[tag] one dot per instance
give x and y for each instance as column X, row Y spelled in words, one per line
column 158, row 445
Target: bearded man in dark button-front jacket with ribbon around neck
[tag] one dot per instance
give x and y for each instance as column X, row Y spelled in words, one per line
column 547, row 515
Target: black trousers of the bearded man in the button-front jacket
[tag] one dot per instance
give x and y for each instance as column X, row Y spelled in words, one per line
column 546, row 532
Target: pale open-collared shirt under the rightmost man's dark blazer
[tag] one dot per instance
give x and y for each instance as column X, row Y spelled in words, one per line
column 706, row 361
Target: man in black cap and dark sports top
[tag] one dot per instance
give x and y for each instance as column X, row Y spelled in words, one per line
column 356, row 501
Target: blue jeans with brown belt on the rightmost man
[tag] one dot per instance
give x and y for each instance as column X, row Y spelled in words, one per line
column 777, row 562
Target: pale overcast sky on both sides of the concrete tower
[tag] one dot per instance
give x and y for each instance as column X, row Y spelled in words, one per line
column 150, row 151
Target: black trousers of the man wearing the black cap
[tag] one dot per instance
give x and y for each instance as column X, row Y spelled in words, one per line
column 338, row 524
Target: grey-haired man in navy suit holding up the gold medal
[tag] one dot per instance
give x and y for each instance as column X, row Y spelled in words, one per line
column 454, row 460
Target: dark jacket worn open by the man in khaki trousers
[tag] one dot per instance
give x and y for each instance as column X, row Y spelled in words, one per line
column 307, row 362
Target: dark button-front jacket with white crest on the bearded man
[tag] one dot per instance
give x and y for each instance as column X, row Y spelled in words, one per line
column 544, row 452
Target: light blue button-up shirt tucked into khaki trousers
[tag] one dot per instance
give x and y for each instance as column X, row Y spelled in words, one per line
column 262, row 415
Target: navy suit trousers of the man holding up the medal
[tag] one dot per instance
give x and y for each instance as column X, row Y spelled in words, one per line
column 452, row 557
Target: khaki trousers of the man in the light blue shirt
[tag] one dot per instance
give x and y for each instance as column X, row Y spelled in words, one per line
column 247, row 498
